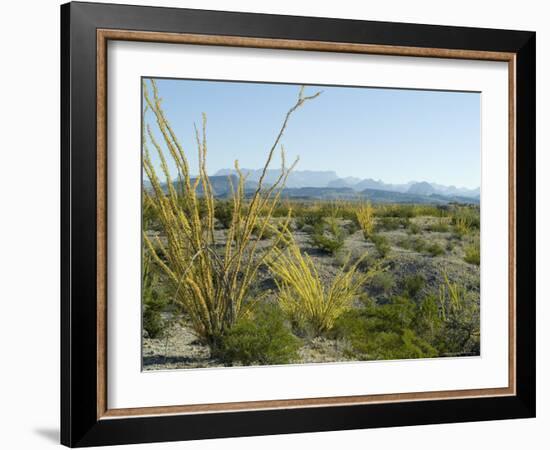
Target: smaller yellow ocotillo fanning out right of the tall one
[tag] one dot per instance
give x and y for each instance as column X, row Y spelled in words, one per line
column 305, row 298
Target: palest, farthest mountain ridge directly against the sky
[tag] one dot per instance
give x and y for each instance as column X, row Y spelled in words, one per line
column 329, row 179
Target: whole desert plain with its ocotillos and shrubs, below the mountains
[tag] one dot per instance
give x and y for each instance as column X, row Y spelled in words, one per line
column 256, row 278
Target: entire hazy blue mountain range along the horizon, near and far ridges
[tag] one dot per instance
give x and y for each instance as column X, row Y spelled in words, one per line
column 326, row 185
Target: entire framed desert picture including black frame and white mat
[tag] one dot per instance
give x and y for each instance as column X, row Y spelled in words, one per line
column 276, row 224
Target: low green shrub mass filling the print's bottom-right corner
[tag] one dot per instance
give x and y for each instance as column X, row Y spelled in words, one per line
column 444, row 325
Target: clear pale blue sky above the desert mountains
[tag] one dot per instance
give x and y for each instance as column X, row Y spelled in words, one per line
column 390, row 134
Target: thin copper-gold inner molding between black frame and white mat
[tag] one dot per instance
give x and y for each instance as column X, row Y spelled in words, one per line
column 103, row 36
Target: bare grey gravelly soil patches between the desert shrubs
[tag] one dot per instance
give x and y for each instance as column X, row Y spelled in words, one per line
column 179, row 349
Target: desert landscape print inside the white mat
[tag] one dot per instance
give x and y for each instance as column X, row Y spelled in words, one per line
column 308, row 224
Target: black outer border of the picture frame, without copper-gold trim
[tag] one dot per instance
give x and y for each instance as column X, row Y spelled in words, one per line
column 79, row 425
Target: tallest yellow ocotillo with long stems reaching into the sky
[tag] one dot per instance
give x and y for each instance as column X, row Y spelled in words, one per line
column 211, row 276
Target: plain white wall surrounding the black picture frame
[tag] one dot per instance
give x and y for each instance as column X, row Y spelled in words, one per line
column 29, row 229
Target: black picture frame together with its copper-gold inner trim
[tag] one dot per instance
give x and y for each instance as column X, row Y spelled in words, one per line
column 86, row 418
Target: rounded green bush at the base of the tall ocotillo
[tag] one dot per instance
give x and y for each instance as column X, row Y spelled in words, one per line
column 261, row 339
